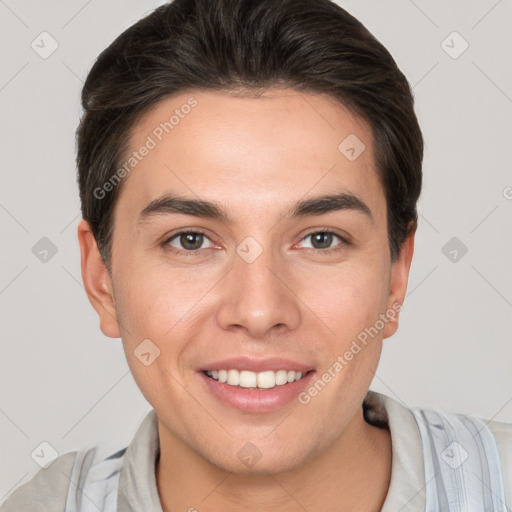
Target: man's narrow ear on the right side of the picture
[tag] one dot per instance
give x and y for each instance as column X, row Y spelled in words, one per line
column 398, row 284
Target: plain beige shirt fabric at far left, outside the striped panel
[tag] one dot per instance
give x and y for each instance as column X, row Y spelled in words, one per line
column 48, row 488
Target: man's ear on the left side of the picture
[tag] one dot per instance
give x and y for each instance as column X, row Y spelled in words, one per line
column 97, row 281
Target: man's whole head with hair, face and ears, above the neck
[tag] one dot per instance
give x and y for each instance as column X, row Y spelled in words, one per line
column 282, row 137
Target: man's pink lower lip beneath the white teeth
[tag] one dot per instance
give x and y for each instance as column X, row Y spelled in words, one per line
column 257, row 400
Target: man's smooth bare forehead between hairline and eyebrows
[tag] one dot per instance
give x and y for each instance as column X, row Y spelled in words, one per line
column 261, row 150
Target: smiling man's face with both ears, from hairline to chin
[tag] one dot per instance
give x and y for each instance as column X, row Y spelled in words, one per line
column 266, row 278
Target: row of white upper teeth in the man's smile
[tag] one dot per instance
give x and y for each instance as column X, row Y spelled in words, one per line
column 262, row 380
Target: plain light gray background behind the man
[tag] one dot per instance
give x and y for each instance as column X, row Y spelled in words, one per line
column 64, row 383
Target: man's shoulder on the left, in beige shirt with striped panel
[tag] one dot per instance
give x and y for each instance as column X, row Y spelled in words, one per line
column 92, row 472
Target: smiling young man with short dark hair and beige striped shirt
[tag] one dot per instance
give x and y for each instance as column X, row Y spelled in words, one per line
column 249, row 173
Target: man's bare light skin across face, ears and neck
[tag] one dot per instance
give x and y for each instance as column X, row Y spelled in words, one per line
column 254, row 155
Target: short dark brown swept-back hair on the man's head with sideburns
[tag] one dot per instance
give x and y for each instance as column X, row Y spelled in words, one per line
column 308, row 45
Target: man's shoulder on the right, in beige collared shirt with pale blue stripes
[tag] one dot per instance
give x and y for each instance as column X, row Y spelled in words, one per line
column 461, row 455
